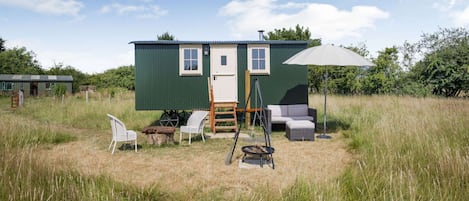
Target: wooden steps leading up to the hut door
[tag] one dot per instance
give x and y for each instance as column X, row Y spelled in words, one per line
column 224, row 116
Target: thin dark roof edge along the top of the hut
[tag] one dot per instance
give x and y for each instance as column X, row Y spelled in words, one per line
column 176, row 42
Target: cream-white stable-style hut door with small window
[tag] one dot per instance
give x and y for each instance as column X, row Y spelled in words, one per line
column 223, row 72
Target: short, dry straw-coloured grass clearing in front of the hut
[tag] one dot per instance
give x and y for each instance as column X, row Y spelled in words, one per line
column 200, row 168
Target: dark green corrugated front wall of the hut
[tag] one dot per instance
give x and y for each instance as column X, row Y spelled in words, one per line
column 158, row 84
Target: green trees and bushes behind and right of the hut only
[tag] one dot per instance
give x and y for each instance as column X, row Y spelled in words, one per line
column 437, row 64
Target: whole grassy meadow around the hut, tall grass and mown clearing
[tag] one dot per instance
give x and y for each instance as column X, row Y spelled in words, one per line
column 383, row 148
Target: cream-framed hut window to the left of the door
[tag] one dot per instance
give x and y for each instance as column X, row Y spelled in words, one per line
column 190, row 60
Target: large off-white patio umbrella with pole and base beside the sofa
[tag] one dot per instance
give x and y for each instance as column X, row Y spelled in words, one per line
column 327, row 55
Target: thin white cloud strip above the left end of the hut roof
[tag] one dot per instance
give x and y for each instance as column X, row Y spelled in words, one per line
column 140, row 11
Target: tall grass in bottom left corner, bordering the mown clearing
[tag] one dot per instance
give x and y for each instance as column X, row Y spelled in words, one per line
column 25, row 178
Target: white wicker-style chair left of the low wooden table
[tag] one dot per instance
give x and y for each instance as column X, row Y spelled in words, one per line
column 120, row 133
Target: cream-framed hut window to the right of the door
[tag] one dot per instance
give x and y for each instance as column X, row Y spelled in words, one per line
column 259, row 59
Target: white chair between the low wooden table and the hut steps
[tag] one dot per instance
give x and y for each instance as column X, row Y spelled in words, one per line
column 195, row 125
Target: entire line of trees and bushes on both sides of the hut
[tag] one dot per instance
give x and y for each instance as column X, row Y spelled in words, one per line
column 437, row 64
